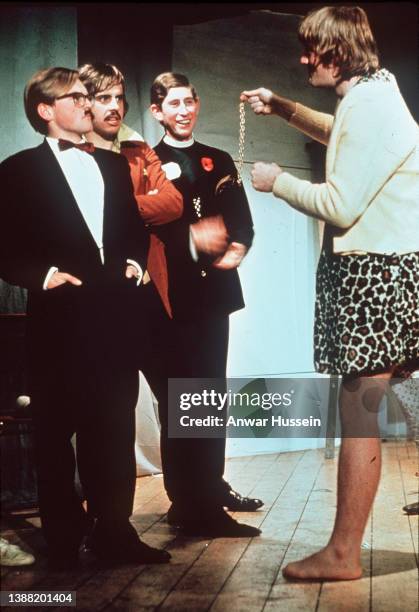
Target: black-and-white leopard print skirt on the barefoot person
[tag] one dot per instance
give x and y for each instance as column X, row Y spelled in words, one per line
column 367, row 313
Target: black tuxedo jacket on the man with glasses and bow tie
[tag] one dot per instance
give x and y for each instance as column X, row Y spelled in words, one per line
column 71, row 329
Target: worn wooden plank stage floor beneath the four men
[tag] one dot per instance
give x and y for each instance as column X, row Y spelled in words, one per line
column 243, row 575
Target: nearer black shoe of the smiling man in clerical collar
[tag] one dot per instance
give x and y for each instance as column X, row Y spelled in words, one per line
column 217, row 524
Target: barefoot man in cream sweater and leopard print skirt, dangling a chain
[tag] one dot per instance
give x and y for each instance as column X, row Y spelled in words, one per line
column 367, row 319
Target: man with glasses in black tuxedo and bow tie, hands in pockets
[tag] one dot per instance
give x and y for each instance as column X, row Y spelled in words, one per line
column 71, row 235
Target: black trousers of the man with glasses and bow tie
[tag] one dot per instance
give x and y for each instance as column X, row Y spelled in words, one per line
column 99, row 406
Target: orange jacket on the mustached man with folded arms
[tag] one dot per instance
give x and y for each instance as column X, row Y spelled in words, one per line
column 156, row 209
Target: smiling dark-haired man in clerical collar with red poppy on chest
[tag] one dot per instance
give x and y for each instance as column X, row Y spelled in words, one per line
column 204, row 288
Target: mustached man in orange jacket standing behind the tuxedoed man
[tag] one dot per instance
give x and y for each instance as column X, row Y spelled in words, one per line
column 159, row 203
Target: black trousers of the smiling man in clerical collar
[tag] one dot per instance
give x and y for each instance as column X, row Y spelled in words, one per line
column 193, row 468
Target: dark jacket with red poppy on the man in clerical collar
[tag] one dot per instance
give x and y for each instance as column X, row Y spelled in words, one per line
column 197, row 289
